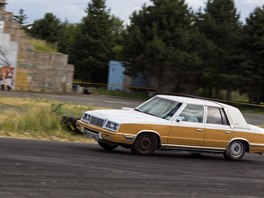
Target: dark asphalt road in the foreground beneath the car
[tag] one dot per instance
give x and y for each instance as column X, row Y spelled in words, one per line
column 60, row 170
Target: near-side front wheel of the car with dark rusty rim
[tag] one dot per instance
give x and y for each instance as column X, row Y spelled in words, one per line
column 145, row 144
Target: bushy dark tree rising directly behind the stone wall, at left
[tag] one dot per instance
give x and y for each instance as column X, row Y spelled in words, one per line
column 47, row 29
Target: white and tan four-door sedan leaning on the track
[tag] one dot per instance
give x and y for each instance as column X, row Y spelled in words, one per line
column 175, row 123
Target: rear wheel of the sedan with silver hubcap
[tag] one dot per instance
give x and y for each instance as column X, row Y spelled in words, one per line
column 235, row 151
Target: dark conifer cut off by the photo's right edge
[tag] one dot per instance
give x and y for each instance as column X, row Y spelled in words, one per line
column 252, row 67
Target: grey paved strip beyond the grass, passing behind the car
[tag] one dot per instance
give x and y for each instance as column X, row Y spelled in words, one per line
column 107, row 102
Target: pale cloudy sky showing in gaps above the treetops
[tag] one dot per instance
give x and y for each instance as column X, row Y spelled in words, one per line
column 73, row 10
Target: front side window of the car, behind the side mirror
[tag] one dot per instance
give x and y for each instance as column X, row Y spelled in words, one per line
column 193, row 113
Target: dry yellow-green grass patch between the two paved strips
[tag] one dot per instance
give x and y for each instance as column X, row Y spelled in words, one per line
column 40, row 119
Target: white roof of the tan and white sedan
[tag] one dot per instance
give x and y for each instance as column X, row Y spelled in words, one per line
column 192, row 100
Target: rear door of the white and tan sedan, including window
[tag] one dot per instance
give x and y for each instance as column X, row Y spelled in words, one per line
column 218, row 130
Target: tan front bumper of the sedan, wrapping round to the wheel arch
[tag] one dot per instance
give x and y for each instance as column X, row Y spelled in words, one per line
column 101, row 134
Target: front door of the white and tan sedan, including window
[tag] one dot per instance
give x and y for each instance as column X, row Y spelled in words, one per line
column 188, row 129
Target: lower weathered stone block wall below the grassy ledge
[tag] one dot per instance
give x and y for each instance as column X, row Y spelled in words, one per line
column 47, row 72
